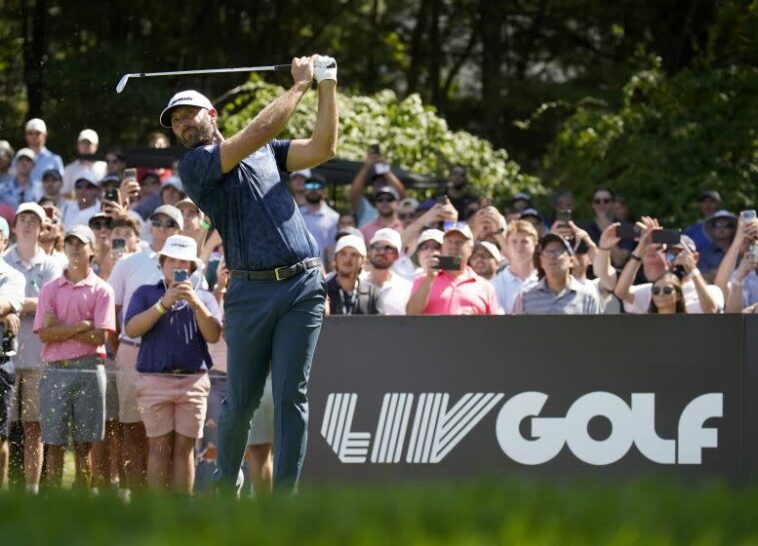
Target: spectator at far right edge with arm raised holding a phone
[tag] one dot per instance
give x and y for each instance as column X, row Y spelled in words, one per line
column 740, row 287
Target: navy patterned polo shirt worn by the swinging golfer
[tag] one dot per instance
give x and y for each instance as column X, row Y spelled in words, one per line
column 251, row 206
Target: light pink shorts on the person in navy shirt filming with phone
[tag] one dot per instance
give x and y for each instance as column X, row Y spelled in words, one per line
column 171, row 403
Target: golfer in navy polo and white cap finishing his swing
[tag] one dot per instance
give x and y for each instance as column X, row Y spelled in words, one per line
column 275, row 300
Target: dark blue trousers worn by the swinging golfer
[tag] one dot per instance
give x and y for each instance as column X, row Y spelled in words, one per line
column 276, row 324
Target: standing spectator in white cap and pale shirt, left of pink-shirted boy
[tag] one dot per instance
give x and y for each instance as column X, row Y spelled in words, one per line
column 28, row 258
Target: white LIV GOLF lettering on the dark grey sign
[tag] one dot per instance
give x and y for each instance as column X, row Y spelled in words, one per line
column 438, row 428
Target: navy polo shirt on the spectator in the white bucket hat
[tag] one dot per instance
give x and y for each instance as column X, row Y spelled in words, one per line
column 175, row 341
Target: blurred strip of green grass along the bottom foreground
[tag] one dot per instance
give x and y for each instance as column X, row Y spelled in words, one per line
column 471, row 513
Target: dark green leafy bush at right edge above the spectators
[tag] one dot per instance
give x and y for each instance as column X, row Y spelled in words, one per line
column 671, row 138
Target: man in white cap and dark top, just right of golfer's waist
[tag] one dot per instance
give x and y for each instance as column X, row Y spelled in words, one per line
column 347, row 293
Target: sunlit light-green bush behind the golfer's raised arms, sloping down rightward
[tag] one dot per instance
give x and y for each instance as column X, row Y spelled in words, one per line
column 411, row 135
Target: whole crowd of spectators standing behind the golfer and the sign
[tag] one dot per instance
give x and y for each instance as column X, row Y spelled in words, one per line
column 113, row 283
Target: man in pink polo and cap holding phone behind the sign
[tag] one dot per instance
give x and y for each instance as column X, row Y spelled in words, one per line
column 457, row 291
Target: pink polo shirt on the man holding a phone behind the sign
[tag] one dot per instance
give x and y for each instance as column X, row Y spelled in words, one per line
column 469, row 294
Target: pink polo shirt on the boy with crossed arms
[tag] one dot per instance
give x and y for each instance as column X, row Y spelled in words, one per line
column 90, row 299
